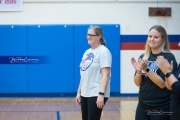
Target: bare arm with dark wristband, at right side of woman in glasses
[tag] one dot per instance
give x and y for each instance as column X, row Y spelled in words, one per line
column 104, row 82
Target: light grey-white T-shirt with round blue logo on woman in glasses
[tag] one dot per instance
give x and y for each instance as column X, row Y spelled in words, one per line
column 90, row 70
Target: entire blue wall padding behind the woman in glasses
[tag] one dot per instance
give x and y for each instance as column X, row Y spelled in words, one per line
column 64, row 45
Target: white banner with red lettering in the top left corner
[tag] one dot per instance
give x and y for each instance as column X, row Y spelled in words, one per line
column 10, row 5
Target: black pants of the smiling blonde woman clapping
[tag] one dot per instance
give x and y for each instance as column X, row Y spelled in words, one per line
column 154, row 114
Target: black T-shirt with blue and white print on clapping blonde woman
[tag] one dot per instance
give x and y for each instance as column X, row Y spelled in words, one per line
column 150, row 95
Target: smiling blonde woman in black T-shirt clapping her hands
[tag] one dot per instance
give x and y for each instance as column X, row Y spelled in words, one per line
column 154, row 98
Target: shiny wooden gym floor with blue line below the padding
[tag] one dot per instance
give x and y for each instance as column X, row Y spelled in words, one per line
column 116, row 108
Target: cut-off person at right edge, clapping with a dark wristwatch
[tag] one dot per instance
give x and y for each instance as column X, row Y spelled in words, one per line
column 172, row 83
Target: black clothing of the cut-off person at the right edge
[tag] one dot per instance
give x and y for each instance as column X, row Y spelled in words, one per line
column 175, row 97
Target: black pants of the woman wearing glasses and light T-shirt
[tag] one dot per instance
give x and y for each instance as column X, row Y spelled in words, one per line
column 89, row 108
